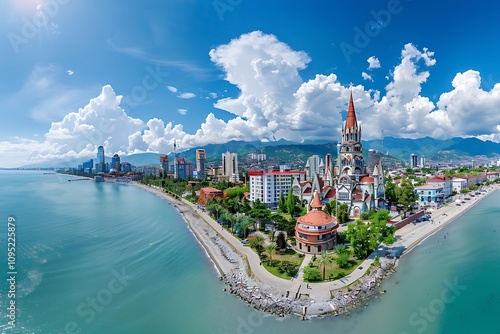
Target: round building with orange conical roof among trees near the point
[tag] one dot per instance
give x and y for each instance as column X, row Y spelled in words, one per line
column 316, row 231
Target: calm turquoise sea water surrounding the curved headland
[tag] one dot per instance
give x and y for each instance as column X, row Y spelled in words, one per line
column 110, row 258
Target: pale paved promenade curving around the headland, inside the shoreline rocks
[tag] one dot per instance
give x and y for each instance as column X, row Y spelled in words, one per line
column 406, row 238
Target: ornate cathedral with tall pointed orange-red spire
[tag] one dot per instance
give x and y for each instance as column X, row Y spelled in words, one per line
column 351, row 181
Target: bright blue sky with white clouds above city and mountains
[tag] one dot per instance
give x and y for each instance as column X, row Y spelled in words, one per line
column 210, row 71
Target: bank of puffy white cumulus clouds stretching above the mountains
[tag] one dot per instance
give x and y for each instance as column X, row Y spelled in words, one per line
column 275, row 102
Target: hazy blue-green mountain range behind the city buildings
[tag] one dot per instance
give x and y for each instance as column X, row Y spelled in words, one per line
column 457, row 150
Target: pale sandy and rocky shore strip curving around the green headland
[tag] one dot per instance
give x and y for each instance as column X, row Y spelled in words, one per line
column 239, row 266
